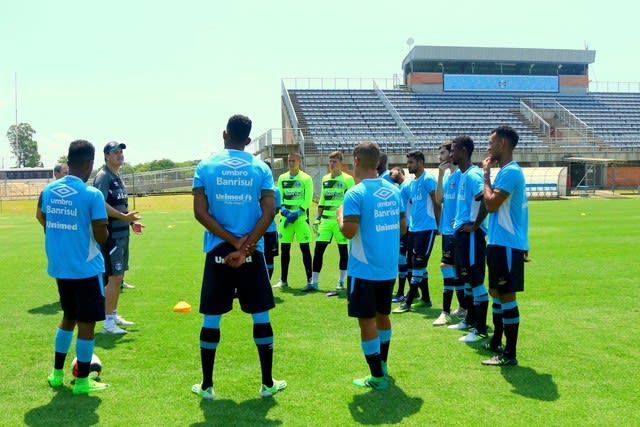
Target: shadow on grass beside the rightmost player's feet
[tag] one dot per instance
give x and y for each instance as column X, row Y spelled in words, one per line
column 528, row 383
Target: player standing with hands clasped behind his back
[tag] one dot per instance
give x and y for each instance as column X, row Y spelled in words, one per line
column 233, row 199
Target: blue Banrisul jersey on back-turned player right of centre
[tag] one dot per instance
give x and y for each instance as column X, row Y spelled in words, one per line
column 374, row 250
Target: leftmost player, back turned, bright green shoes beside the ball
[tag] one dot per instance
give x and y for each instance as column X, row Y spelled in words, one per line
column 75, row 222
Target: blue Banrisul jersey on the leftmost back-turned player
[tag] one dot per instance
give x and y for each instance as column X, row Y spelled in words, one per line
column 70, row 206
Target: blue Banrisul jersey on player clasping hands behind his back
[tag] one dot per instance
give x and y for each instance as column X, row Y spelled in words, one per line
column 233, row 183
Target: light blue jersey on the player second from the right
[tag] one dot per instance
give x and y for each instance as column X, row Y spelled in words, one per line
column 471, row 184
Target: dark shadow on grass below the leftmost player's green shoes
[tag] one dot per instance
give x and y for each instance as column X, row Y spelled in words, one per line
column 65, row 409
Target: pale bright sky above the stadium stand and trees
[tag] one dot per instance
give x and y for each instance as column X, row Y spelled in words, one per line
column 165, row 76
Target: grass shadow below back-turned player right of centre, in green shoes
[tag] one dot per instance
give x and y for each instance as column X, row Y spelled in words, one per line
column 390, row 406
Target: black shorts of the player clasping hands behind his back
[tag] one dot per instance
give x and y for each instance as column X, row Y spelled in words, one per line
column 221, row 283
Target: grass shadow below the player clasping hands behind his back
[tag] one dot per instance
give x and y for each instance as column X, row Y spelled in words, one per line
column 227, row 412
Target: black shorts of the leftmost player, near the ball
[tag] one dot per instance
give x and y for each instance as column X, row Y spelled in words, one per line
column 82, row 300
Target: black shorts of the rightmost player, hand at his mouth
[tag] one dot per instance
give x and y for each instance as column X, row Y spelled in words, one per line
column 506, row 269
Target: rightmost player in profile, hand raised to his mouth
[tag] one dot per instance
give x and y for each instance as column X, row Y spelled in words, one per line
column 506, row 201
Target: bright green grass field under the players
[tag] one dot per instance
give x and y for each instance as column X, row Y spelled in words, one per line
column 579, row 348
